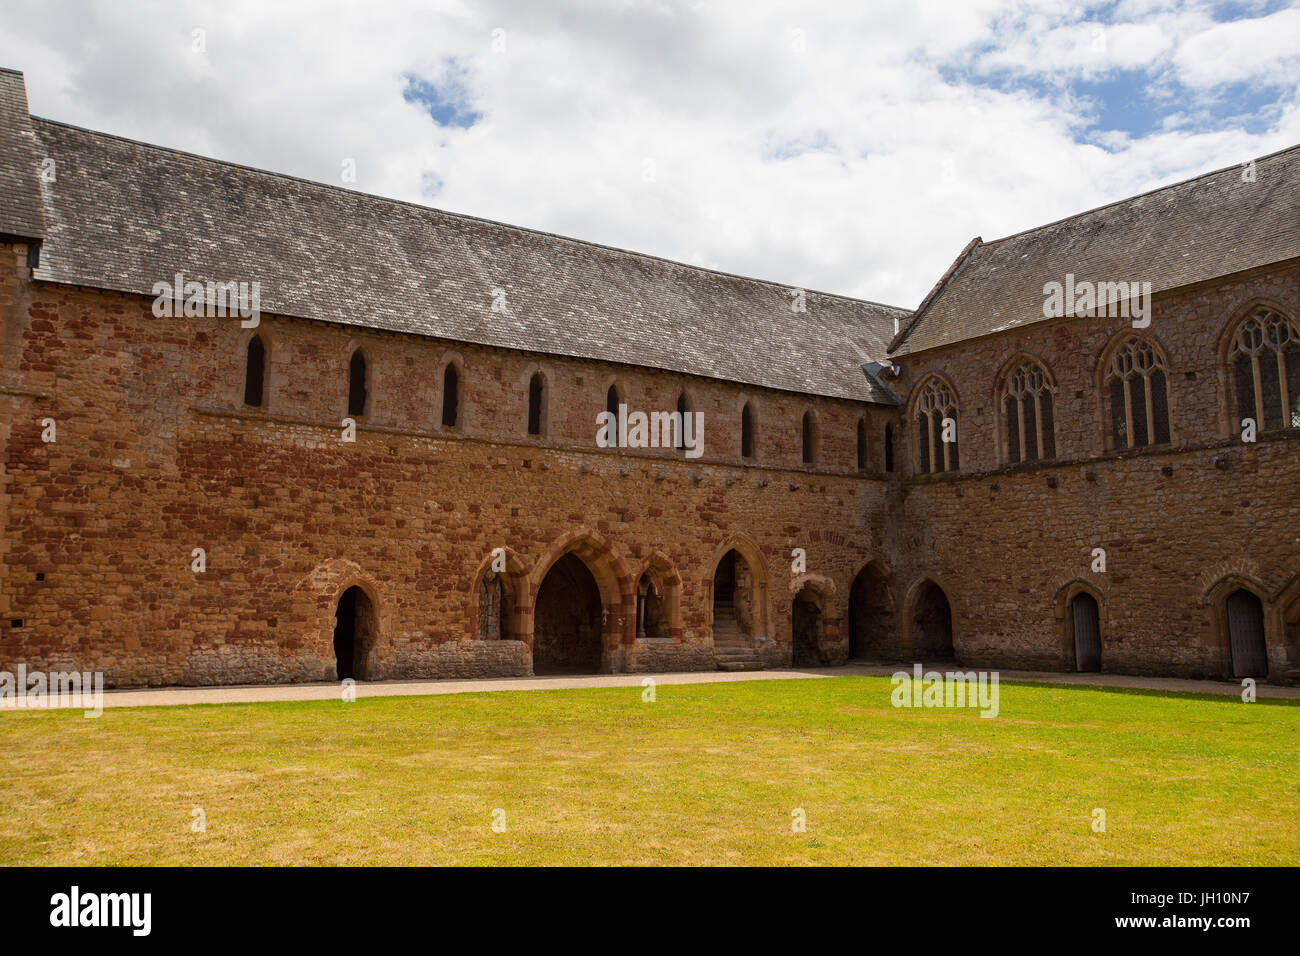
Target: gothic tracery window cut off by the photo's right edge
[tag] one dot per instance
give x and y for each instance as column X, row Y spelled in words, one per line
column 1266, row 362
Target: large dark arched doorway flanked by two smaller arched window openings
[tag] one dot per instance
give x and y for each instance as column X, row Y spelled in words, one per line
column 567, row 620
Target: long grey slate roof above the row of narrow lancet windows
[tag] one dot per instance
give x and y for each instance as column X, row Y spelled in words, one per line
column 125, row 215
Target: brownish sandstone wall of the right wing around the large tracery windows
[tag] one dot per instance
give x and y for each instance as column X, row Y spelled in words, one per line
column 1007, row 543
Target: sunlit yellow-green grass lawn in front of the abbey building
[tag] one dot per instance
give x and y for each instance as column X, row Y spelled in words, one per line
column 707, row 775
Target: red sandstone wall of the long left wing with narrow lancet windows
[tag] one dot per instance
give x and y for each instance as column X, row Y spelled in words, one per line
column 157, row 456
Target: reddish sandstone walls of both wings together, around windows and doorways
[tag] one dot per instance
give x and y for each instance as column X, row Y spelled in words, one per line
column 157, row 456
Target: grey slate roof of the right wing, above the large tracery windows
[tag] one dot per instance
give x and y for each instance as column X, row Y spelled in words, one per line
column 1195, row 231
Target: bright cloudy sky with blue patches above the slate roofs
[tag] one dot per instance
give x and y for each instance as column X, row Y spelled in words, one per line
column 851, row 148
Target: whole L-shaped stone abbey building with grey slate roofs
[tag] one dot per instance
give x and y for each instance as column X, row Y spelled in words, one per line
column 184, row 501
